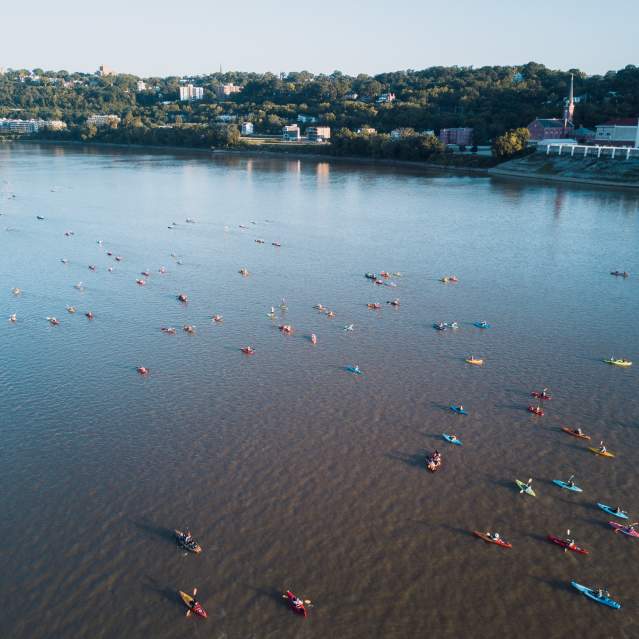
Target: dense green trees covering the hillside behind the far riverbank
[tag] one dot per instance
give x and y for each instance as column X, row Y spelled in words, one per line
column 489, row 99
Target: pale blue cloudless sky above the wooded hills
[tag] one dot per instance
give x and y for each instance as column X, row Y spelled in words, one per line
column 147, row 37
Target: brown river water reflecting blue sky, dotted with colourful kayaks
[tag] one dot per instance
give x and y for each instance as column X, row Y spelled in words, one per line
column 291, row 471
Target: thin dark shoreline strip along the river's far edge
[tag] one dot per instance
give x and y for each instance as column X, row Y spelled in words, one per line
column 425, row 167
